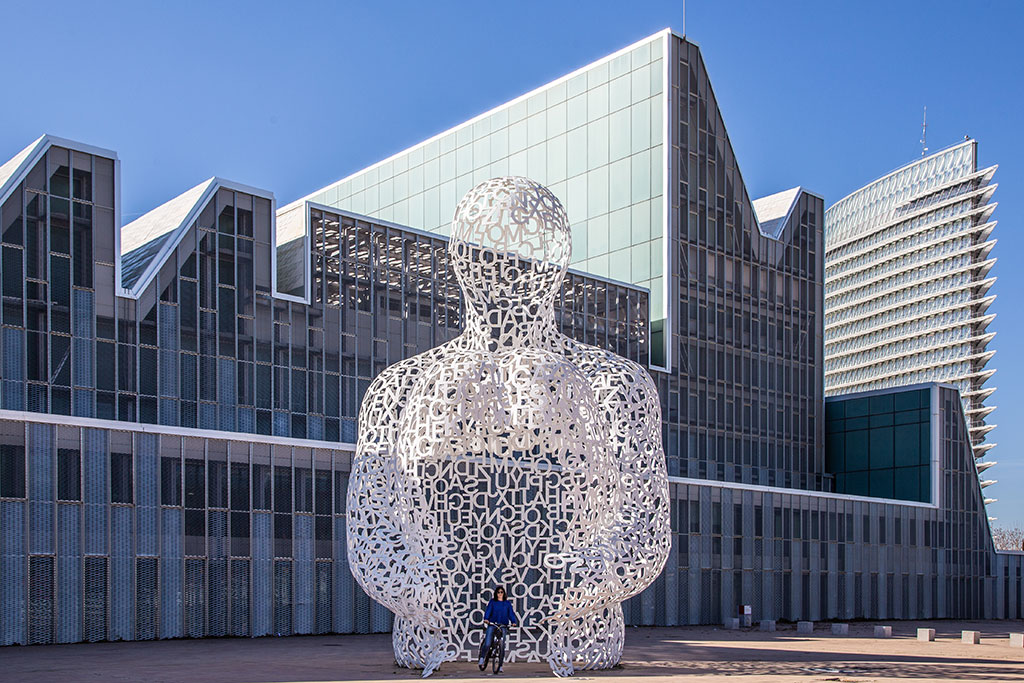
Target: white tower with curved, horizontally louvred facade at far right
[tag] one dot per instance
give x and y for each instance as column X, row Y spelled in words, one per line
column 907, row 284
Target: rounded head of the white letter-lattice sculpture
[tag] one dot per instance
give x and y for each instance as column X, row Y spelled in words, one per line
column 510, row 244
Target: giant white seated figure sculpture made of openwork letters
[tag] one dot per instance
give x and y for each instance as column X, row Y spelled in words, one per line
column 511, row 455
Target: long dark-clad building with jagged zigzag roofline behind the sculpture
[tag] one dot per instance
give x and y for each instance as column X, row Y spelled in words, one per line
column 179, row 399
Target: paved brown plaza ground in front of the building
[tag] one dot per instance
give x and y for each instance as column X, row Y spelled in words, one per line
column 689, row 654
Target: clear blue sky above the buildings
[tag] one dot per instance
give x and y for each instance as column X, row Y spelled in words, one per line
column 293, row 96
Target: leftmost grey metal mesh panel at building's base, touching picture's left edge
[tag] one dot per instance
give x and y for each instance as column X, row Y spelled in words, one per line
column 13, row 597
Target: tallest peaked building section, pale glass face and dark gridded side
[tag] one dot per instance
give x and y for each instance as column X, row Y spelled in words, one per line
column 636, row 147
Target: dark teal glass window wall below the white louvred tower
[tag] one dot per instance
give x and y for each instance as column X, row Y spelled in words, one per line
column 880, row 446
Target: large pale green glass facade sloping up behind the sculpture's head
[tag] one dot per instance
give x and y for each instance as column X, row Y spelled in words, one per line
column 595, row 138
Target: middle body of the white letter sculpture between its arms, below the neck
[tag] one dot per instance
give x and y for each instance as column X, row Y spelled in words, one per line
column 510, row 476
